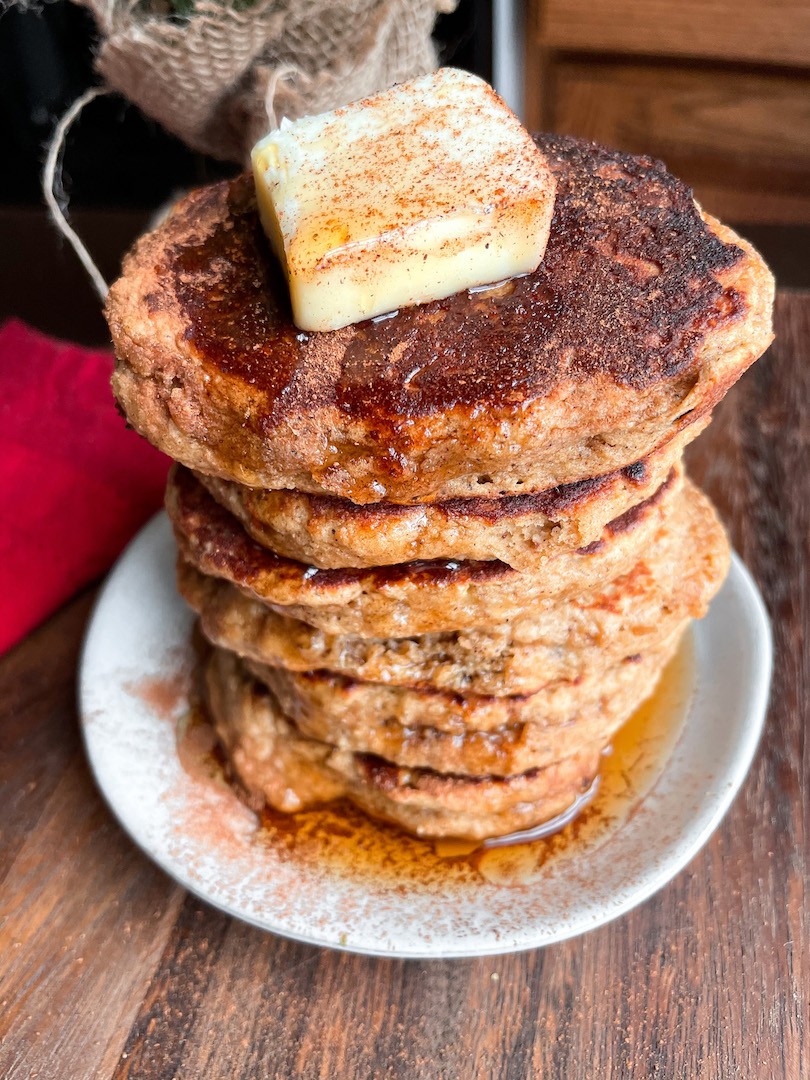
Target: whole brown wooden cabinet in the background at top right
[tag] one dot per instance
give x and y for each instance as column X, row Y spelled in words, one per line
column 721, row 91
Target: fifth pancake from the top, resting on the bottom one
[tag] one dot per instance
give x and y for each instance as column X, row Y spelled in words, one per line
column 470, row 736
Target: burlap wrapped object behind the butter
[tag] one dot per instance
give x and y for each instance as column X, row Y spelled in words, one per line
column 224, row 77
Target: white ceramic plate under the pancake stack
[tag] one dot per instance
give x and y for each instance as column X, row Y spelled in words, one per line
column 134, row 679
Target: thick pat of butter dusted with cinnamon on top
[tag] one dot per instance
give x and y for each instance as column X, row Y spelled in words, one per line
column 424, row 191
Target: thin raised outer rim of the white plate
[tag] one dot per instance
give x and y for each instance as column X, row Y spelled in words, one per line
column 759, row 629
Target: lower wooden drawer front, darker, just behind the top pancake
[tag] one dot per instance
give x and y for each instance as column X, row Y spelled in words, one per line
column 741, row 140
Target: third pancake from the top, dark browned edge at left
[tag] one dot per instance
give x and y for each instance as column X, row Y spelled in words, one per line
column 411, row 599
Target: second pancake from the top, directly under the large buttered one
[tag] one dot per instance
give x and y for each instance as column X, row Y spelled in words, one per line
column 331, row 533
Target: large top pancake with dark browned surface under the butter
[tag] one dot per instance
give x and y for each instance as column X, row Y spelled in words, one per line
column 640, row 318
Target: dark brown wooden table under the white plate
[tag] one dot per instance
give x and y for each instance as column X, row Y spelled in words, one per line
column 107, row 969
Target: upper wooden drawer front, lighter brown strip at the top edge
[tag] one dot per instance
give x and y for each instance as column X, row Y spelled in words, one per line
column 772, row 32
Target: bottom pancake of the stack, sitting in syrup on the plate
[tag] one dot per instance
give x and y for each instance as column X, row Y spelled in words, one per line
column 279, row 766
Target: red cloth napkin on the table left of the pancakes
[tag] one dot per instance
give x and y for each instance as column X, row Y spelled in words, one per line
column 75, row 483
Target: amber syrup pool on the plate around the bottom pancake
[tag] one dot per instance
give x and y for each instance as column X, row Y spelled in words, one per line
column 344, row 840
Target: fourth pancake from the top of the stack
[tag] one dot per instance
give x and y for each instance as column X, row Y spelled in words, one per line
column 578, row 639
